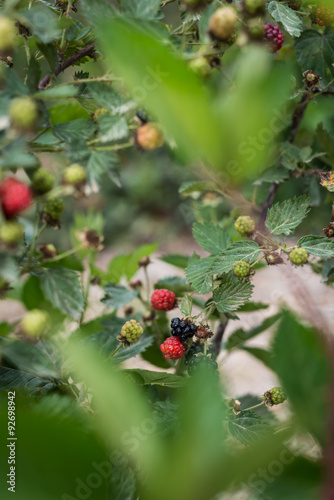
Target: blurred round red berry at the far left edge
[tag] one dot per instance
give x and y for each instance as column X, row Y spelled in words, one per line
column 15, row 197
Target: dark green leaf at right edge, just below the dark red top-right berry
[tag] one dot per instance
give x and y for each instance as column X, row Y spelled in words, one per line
column 315, row 51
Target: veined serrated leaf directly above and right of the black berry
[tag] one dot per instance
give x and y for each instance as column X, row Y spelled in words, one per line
column 232, row 293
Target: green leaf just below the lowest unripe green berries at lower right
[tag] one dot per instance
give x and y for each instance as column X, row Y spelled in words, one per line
column 247, row 427
